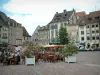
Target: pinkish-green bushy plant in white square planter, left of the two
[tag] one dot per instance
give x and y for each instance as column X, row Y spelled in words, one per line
column 29, row 52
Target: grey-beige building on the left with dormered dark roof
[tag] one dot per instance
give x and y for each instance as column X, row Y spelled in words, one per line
column 15, row 32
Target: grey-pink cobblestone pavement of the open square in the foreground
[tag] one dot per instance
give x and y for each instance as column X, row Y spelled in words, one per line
column 87, row 64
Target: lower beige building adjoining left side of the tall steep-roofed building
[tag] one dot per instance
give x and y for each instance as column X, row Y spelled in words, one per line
column 43, row 35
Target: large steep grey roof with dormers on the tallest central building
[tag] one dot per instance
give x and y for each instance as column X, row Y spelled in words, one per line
column 60, row 17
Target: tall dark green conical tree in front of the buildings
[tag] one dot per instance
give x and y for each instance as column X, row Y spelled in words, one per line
column 63, row 36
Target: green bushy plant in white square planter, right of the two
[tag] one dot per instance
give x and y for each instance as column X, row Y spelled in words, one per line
column 69, row 52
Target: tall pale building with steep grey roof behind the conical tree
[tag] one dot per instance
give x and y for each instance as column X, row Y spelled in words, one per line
column 66, row 19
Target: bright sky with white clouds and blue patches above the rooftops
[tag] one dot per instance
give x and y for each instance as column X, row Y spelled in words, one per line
column 31, row 13
